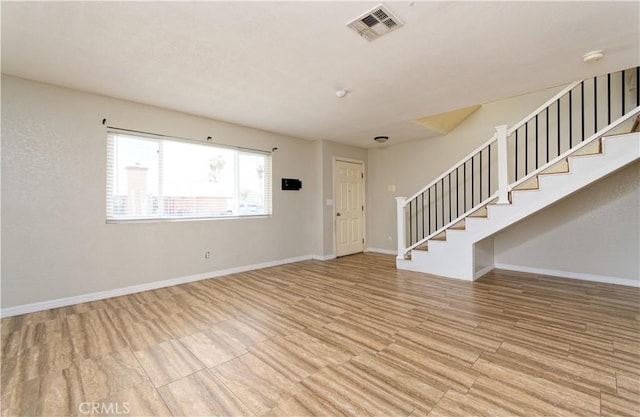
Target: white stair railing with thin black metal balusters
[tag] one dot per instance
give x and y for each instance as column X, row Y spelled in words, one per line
column 579, row 114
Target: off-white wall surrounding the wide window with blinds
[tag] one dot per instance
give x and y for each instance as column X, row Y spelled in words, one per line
column 55, row 241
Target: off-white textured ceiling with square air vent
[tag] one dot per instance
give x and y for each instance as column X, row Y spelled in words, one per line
column 276, row 65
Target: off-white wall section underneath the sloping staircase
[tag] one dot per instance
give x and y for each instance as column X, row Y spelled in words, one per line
column 595, row 232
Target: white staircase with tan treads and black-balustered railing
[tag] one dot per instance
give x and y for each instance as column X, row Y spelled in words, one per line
column 584, row 133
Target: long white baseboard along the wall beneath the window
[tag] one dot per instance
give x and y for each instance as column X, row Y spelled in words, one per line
column 67, row 301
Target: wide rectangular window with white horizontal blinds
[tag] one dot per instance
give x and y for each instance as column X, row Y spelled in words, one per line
column 157, row 178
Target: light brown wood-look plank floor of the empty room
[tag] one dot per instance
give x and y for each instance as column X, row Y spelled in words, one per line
column 348, row 337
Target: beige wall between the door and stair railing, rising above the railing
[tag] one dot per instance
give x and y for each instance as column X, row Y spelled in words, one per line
column 412, row 165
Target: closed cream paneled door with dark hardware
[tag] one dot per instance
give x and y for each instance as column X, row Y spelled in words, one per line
column 349, row 204
